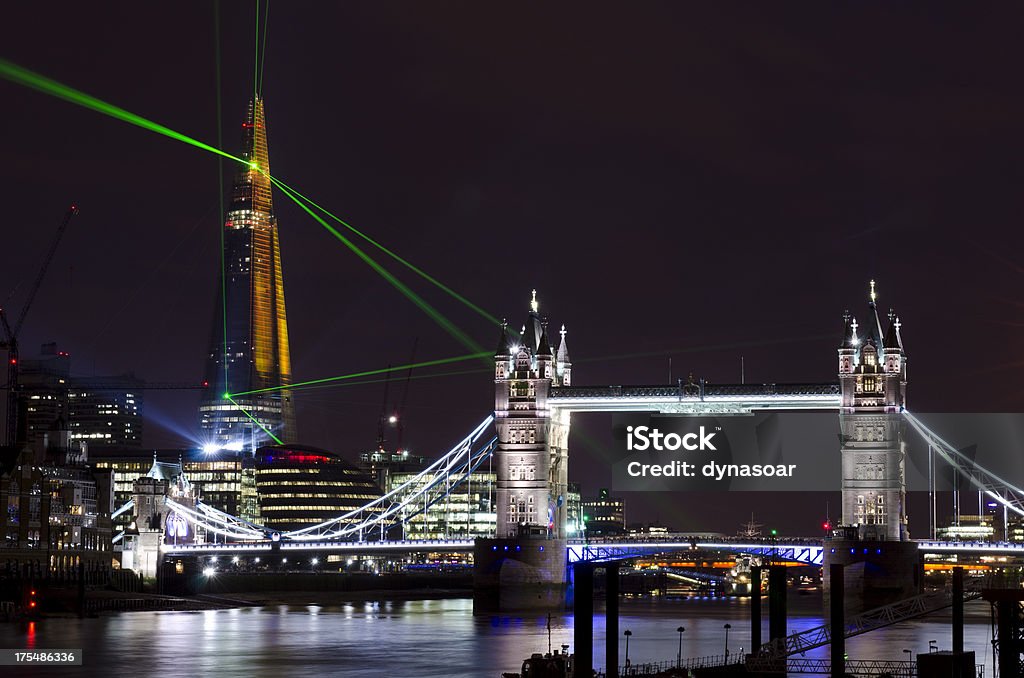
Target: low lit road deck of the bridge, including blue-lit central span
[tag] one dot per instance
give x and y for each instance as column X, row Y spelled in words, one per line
column 807, row 552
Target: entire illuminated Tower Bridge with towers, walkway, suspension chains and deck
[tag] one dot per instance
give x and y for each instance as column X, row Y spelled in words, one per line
column 527, row 441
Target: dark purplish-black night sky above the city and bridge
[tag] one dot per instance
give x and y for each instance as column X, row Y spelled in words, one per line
column 675, row 182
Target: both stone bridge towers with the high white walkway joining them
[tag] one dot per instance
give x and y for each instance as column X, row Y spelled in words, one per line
column 535, row 399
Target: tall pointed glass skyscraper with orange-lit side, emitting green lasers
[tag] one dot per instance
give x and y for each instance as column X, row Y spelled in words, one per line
column 250, row 334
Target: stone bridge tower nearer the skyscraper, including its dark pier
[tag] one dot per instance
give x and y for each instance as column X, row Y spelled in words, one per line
column 525, row 566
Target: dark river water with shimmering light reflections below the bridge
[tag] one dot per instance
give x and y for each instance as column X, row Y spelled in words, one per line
column 425, row 639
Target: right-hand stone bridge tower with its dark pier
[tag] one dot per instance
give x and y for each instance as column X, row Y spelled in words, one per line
column 873, row 540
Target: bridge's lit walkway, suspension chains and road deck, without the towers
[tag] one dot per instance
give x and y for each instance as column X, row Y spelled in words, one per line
column 367, row 528
